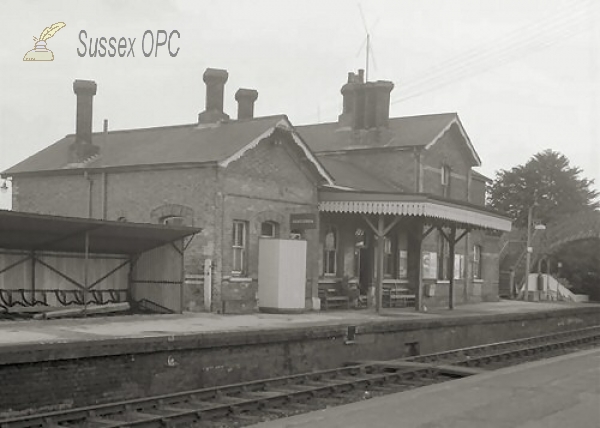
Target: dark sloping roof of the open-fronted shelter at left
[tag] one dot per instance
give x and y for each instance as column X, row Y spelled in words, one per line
column 38, row 232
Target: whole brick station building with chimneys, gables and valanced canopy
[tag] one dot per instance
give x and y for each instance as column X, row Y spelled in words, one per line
column 390, row 210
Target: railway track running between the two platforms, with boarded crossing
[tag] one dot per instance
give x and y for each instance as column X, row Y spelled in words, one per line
column 251, row 402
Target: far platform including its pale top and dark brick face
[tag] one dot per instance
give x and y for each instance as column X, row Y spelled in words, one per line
column 83, row 361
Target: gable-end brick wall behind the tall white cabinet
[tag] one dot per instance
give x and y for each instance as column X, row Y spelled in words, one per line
column 267, row 184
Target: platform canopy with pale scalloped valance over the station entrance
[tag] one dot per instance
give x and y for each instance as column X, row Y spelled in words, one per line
column 465, row 215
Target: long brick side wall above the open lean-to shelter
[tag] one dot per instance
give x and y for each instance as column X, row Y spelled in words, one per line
column 139, row 196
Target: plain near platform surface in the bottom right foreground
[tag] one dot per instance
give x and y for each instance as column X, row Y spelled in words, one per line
column 554, row 393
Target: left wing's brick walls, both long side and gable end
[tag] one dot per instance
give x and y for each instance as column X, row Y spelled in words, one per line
column 268, row 183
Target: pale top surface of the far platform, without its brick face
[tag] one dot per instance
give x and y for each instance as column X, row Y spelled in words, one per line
column 32, row 332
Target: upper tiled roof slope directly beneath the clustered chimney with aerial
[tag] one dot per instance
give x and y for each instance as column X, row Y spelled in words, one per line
column 402, row 131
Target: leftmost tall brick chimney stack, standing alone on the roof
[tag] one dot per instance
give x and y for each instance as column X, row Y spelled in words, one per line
column 83, row 148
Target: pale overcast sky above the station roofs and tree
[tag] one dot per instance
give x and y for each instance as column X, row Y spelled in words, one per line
column 523, row 75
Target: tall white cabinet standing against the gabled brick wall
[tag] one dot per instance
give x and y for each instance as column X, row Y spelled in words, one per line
column 281, row 275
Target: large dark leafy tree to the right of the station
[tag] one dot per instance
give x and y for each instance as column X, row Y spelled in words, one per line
column 547, row 180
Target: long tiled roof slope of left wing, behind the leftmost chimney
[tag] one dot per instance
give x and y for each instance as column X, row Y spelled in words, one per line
column 155, row 146
